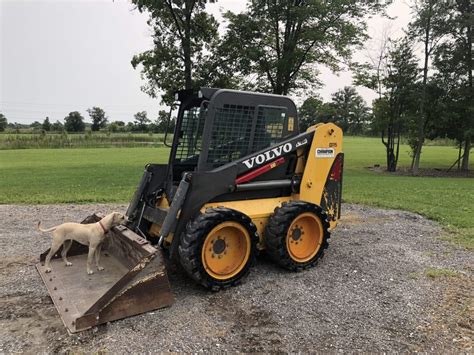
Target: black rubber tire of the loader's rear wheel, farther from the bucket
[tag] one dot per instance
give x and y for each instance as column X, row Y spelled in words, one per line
column 276, row 234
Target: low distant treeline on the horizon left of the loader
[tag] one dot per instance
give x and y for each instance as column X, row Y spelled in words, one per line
column 74, row 122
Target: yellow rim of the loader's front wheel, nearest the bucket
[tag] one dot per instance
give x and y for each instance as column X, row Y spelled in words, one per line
column 226, row 250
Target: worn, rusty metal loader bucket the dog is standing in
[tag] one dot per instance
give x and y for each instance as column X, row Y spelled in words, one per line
column 134, row 281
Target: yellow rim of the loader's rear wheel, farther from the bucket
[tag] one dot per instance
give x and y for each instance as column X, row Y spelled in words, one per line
column 304, row 237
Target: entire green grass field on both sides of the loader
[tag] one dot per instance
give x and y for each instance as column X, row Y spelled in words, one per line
column 111, row 175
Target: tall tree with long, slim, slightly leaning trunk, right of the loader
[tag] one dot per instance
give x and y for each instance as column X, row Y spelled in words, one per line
column 429, row 27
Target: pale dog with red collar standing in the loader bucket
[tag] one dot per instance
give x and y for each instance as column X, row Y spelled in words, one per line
column 87, row 234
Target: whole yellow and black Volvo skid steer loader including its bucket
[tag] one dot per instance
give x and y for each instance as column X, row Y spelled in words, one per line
column 240, row 179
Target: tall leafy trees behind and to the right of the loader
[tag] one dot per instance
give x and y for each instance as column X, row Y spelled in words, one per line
column 277, row 47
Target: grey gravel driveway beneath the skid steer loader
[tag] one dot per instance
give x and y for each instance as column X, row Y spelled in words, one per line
column 371, row 292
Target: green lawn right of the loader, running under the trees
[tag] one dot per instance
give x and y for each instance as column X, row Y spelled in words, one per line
column 447, row 200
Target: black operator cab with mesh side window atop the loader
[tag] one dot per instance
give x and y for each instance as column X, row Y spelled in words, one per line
column 215, row 127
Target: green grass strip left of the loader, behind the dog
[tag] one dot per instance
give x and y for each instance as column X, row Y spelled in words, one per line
column 73, row 175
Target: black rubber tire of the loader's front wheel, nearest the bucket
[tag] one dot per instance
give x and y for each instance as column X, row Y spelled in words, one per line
column 192, row 242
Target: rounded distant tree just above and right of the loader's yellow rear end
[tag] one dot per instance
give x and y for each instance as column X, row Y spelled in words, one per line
column 351, row 112
